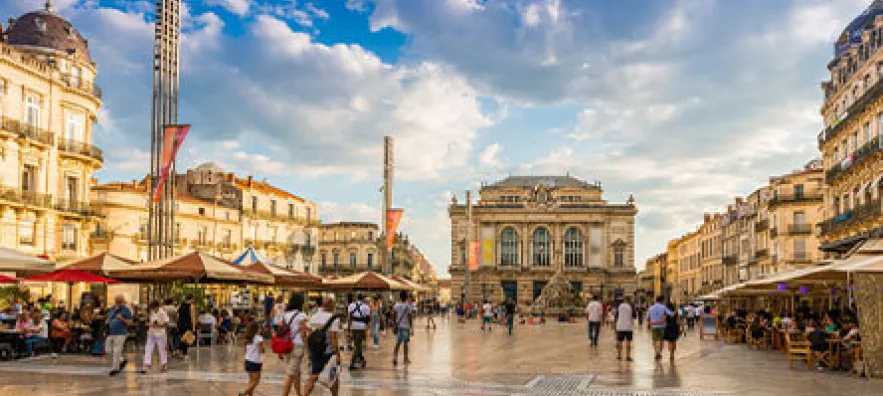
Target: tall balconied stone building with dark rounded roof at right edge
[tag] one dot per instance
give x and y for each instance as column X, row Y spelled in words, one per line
column 851, row 141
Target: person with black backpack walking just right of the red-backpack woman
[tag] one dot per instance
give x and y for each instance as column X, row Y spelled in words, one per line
column 324, row 319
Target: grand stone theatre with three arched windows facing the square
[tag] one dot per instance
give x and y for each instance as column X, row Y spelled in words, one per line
column 531, row 227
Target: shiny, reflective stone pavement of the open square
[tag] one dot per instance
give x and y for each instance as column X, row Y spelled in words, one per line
column 458, row 359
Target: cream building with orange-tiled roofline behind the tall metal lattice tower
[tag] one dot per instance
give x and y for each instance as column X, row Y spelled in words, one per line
column 216, row 212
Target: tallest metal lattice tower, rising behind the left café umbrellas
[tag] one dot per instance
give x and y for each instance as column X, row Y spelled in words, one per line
column 166, row 46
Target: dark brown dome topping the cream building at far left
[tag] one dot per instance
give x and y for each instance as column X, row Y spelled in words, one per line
column 46, row 30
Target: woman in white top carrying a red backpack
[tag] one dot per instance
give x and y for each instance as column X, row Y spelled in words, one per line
column 292, row 330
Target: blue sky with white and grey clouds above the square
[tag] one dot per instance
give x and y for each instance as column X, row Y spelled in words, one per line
column 682, row 103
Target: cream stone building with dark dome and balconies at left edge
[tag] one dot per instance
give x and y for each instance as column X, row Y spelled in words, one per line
column 48, row 106
